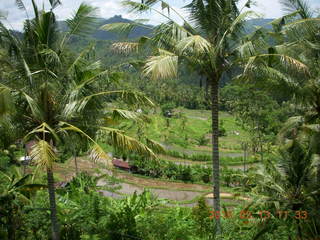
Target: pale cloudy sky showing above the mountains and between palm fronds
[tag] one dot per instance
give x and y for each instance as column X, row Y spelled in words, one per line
column 109, row 8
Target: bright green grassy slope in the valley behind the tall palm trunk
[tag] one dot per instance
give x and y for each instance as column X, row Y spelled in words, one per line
column 198, row 124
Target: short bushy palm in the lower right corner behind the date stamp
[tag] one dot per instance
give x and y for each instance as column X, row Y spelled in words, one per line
column 291, row 183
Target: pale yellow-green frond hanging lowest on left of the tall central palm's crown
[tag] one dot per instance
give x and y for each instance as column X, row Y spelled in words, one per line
column 163, row 66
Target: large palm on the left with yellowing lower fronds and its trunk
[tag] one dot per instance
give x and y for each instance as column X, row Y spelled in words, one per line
column 53, row 96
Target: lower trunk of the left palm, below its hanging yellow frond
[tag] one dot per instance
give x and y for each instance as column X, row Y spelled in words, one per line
column 53, row 208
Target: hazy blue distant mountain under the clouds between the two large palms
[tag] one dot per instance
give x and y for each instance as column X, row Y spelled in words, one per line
column 104, row 35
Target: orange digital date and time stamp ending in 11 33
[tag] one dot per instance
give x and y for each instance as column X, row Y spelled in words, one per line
column 263, row 214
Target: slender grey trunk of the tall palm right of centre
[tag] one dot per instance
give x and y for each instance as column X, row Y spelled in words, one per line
column 215, row 152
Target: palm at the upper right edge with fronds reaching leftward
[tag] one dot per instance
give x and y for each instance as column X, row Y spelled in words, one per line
column 296, row 38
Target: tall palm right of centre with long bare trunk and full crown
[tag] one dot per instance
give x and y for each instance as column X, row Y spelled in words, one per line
column 207, row 43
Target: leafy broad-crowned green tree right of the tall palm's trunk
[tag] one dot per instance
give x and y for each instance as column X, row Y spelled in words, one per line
column 255, row 112
